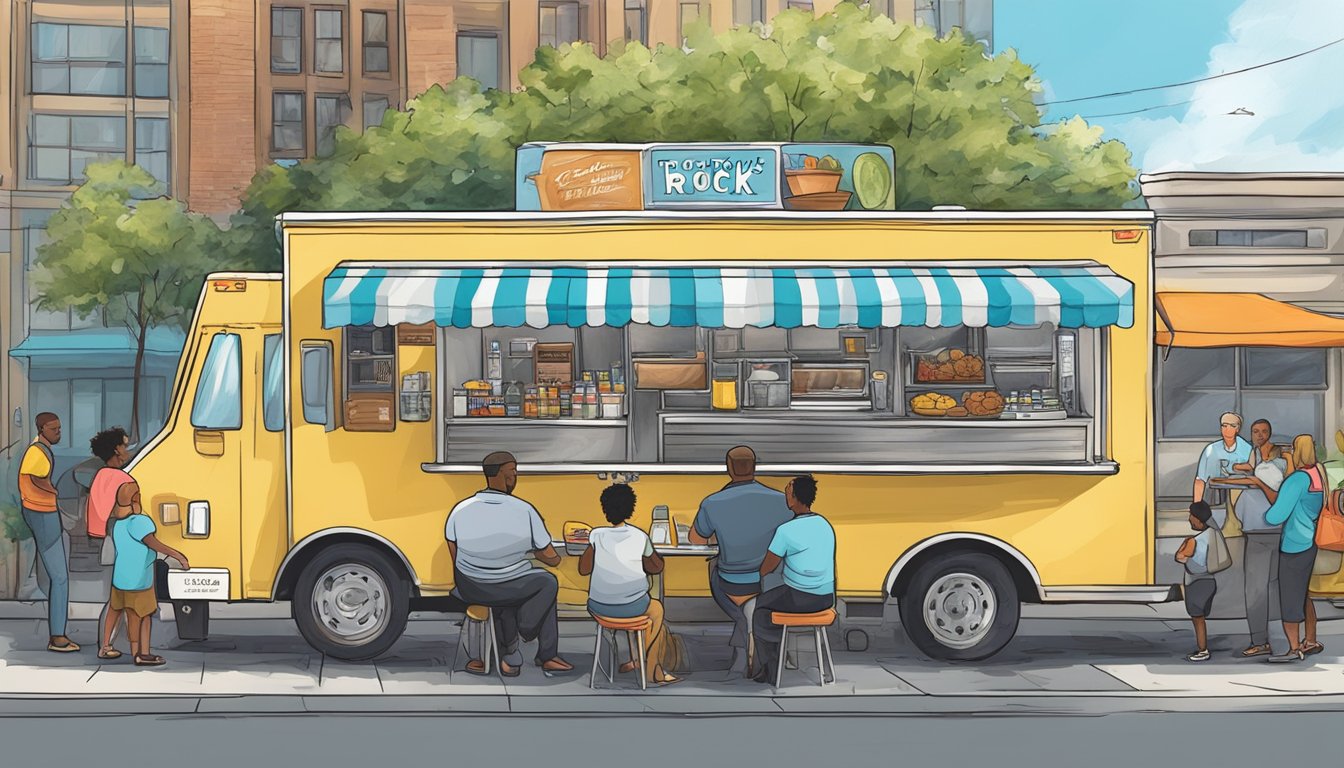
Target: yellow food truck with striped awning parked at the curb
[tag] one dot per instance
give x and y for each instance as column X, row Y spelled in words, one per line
column 971, row 389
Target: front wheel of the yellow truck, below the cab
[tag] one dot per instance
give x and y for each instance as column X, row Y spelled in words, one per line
column 351, row 602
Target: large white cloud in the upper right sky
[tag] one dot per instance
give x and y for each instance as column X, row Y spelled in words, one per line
column 1299, row 106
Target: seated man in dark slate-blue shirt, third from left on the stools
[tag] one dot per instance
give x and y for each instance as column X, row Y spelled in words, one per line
column 743, row 519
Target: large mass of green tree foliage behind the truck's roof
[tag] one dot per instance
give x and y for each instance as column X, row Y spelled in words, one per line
column 966, row 126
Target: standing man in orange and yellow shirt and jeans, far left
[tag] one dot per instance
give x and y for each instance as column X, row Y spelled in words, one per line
column 40, row 510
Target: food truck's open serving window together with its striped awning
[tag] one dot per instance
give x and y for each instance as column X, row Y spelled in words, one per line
column 885, row 367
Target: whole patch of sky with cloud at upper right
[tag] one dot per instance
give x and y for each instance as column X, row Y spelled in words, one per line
column 1085, row 48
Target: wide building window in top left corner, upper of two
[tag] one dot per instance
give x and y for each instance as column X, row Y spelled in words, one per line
column 79, row 60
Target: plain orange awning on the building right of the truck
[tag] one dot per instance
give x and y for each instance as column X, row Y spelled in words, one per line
column 1201, row 321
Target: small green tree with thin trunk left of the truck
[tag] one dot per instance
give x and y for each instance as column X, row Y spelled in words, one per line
column 142, row 259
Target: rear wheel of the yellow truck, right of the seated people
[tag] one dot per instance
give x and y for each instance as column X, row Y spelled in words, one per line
column 960, row 609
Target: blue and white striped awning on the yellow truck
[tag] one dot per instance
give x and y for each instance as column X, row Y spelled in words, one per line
column 729, row 298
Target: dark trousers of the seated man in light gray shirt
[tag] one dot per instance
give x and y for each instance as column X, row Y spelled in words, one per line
column 523, row 606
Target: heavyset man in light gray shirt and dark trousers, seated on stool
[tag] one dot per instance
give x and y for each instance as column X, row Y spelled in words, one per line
column 490, row 537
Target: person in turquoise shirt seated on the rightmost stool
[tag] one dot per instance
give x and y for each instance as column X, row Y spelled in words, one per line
column 807, row 549
